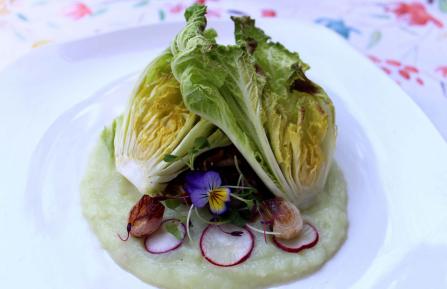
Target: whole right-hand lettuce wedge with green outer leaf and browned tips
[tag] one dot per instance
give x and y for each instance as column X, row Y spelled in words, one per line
column 256, row 92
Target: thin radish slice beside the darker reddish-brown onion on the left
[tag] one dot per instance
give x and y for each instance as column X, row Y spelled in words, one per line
column 162, row 241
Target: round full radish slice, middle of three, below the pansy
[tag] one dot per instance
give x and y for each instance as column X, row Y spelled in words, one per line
column 226, row 245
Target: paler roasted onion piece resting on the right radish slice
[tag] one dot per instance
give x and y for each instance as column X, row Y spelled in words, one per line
column 284, row 215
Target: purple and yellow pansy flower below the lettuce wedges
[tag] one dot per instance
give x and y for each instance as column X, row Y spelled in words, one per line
column 205, row 188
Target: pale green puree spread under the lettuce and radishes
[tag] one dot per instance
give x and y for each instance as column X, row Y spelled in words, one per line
column 107, row 198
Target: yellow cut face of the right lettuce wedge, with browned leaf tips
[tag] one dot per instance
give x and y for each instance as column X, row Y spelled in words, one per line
column 299, row 117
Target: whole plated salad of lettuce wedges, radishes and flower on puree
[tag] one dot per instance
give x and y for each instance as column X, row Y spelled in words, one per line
column 220, row 167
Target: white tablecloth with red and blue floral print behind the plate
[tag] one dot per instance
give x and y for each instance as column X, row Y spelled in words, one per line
column 406, row 39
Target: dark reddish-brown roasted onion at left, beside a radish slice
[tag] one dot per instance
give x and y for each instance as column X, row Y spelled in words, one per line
column 145, row 217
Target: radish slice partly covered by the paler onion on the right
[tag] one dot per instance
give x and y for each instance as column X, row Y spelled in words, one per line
column 307, row 238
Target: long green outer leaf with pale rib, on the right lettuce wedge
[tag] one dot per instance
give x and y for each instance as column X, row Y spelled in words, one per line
column 229, row 96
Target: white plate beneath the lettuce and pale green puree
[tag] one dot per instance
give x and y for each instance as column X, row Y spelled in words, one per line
column 55, row 101
